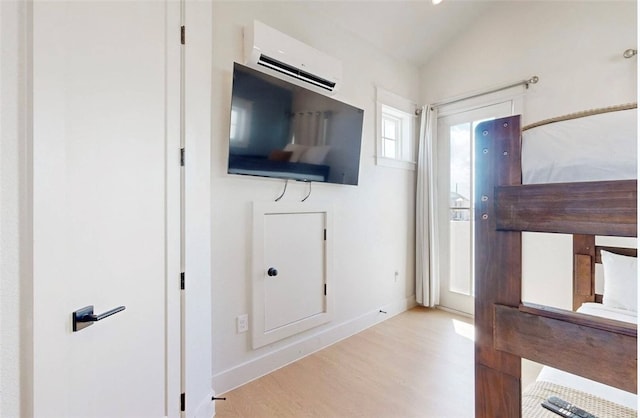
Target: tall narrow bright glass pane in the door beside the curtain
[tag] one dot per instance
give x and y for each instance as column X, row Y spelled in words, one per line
column 460, row 209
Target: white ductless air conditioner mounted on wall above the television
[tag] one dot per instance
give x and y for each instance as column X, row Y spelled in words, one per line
column 271, row 51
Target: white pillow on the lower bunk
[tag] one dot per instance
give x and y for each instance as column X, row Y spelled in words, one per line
column 620, row 281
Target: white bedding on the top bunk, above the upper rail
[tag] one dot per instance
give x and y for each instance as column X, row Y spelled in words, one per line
column 593, row 148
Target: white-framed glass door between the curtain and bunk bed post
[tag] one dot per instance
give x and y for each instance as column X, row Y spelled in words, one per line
column 455, row 197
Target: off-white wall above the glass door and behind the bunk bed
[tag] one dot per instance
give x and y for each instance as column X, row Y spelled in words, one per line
column 576, row 50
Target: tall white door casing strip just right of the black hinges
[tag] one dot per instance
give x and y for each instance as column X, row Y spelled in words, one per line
column 196, row 81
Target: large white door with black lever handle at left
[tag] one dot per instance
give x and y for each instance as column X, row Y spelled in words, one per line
column 104, row 205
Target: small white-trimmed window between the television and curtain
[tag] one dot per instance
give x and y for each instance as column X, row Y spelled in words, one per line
column 395, row 131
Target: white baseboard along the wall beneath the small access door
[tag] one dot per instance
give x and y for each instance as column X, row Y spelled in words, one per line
column 244, row 373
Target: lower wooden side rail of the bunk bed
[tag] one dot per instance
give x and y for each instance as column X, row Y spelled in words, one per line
column 595, row 348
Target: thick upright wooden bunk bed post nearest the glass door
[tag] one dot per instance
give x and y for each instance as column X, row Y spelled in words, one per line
column 497, row 267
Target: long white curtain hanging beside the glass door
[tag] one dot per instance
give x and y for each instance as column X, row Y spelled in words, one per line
column 427, row 283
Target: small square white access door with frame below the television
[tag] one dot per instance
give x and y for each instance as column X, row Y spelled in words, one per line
column 291, row 270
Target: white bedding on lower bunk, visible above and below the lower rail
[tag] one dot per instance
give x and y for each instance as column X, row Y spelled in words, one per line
column 559, row 377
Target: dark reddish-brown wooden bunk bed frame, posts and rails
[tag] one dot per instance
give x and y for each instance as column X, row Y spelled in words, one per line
column 508, row 330
